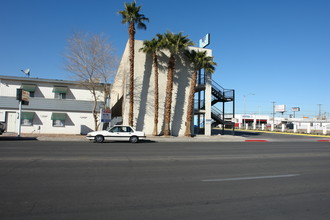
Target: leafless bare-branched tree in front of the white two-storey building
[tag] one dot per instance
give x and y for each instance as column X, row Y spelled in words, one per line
column 92, row 61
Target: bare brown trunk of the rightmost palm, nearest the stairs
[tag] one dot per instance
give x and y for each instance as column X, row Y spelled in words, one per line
column 191, row 104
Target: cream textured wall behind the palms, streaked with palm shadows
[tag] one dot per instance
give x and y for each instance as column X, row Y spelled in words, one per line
column 144, row 90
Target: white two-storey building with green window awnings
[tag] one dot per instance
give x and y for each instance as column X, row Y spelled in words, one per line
column 55, row 106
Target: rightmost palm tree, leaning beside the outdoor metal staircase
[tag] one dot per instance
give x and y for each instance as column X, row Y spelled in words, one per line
column 199, row 61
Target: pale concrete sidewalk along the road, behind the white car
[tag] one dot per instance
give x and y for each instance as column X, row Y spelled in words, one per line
column 61, row 137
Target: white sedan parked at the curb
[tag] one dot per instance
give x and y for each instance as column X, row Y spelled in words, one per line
column 116, row 133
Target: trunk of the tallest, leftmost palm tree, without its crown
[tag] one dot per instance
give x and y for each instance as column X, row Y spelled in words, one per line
column 131, row 31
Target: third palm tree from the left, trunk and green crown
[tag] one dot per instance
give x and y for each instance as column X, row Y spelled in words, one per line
column 175, row 43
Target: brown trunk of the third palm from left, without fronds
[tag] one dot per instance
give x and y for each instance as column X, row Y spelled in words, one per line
column 168, row 99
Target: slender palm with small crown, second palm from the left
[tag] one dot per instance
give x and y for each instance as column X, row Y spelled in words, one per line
column 153, row 47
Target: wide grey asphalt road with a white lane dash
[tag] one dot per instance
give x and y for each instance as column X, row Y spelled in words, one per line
column 81, row 180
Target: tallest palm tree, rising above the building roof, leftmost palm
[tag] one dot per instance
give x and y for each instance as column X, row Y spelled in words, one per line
column 132, row 17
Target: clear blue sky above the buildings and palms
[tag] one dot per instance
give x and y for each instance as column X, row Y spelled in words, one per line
column 278, row 50
